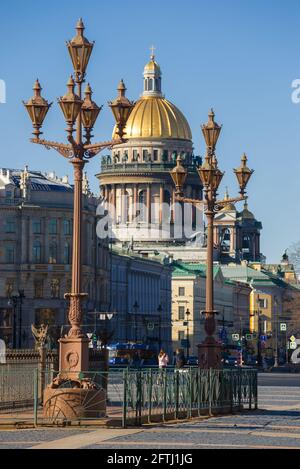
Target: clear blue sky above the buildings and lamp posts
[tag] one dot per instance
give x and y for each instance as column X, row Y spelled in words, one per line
column 239, row 56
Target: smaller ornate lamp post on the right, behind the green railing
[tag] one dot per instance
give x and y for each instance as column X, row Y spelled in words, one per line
column 211, row 177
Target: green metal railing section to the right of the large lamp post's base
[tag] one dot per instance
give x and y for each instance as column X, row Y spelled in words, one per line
column 151, row 395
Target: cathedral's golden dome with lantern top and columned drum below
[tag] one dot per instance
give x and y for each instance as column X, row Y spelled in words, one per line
column 135, row 179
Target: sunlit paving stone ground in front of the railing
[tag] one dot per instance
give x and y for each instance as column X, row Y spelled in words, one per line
column 275, row 425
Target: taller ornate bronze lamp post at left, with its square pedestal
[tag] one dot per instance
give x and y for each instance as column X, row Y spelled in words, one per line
column 83, row 114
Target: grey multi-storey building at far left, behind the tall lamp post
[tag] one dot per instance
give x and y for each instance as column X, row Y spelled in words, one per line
column 36, row 251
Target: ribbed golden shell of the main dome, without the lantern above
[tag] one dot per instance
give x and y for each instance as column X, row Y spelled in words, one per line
column 156, row 117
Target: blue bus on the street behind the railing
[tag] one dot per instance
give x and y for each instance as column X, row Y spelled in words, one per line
column 132, row 354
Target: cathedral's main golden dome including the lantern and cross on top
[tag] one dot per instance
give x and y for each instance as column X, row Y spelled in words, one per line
column 153, row 116
